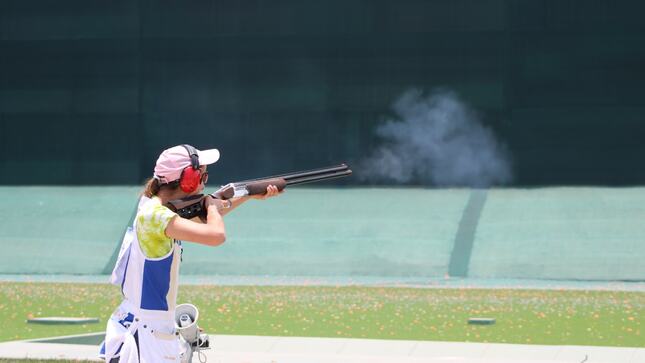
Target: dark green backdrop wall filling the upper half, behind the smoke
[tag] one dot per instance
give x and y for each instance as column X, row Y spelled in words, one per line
column 91, row 91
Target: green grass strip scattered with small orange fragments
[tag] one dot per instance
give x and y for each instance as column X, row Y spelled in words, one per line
column 605, row 318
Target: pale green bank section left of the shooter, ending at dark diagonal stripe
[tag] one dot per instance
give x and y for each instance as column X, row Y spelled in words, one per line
column 50, row 230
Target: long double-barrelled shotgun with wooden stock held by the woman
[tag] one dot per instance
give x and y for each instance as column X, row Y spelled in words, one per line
column 193, row 206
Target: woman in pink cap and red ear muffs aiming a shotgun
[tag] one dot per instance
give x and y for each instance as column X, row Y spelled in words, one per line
column 142, row 329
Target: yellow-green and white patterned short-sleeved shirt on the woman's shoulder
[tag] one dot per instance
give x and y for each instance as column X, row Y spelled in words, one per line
column 152, row 220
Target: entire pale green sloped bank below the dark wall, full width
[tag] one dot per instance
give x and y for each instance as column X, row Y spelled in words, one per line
column 551, row 233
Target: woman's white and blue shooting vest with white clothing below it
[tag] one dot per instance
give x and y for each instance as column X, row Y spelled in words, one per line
column 149, row 287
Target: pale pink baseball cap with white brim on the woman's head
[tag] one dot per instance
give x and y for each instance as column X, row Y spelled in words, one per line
column 173, row 161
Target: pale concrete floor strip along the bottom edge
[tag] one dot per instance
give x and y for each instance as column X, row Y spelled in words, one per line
column 248, row 349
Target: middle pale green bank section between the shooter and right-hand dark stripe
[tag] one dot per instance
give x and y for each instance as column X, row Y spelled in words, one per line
column 343, row 232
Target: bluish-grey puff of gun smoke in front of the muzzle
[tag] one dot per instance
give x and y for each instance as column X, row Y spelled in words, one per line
column 436, row 139
